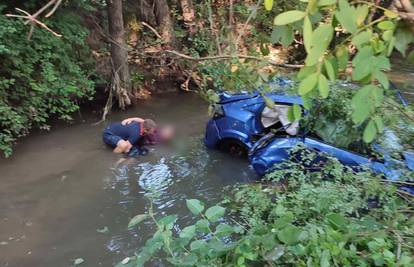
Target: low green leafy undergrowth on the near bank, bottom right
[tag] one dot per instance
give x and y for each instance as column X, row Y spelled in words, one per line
column 317, row 213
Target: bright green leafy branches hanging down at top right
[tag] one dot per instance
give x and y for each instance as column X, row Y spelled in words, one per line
column 328, row 57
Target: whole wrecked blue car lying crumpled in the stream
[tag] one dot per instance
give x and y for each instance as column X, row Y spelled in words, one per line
column 243, row 124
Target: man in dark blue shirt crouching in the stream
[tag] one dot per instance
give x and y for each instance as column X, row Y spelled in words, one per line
column 128, row 135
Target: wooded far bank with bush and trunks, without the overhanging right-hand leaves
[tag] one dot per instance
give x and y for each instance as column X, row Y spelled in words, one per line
column 115, row 50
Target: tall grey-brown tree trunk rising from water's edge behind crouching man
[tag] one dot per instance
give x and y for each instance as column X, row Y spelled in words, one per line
column 121, row 85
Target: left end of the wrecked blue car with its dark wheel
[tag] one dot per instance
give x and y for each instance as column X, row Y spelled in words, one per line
column 237, row 121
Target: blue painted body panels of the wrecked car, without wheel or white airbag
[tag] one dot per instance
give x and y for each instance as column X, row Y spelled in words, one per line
column 241, row 121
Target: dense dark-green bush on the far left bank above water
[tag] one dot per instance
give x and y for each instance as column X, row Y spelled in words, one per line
column 43, row 78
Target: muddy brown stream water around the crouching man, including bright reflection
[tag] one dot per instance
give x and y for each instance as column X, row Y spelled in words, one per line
column 61, row 186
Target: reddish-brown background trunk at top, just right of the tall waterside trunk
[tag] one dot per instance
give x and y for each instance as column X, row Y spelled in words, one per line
column 165, row 23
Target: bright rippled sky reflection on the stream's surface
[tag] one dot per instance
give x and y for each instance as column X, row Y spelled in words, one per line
column 166, row 178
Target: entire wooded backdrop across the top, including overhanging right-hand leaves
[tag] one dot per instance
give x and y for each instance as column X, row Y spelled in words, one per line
column 59, row 55
